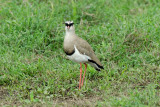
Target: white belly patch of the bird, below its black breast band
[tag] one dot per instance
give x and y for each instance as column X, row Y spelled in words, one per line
column 78, row 57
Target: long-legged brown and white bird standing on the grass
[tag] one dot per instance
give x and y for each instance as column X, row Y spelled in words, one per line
column 78, row 50
